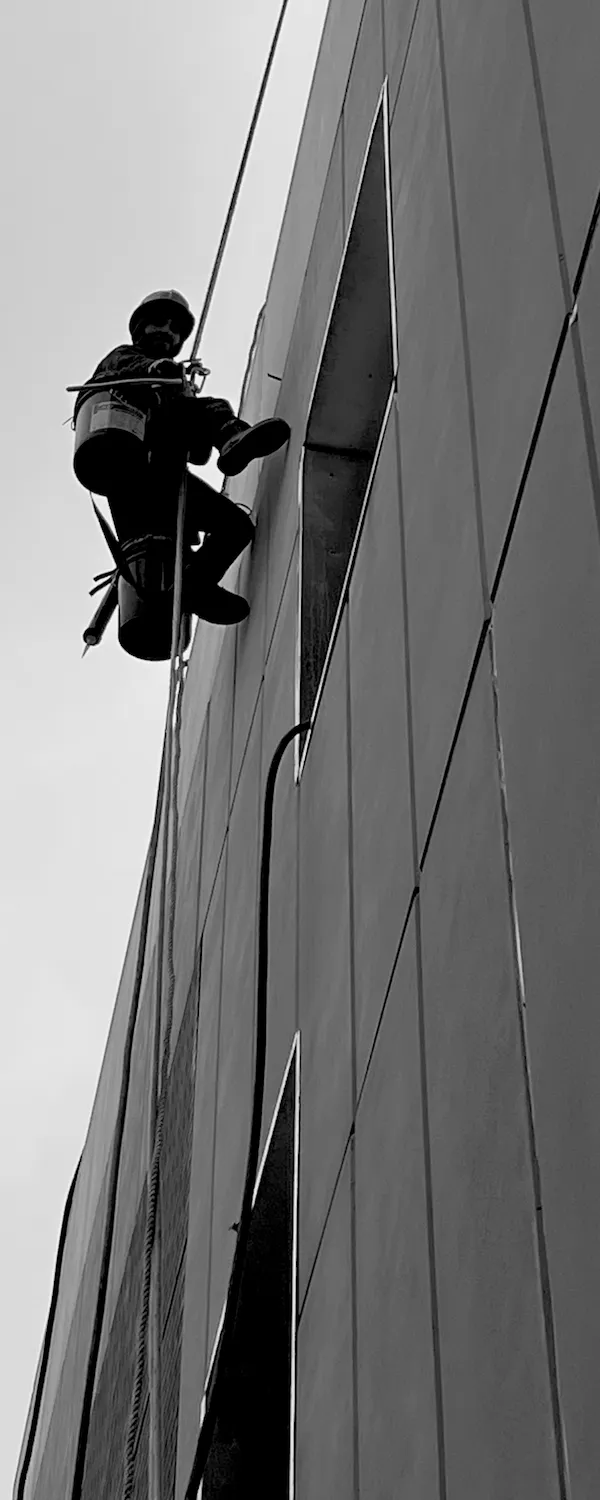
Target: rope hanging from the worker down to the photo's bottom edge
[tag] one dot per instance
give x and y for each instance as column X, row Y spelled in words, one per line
column 151, row 1300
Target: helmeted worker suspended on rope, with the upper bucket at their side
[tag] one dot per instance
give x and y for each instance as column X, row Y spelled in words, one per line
column 158, row 428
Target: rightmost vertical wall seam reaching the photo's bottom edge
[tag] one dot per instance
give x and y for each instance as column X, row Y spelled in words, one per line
column 535, row 1162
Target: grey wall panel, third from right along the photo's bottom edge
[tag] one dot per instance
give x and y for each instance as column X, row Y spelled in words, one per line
column 395, row 1358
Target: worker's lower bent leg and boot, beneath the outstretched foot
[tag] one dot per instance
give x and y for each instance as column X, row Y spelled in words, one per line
column 227, row 532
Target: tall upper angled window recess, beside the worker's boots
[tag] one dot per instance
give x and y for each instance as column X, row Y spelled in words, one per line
column 349, row 409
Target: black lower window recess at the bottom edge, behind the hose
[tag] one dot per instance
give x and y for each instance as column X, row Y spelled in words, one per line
column 253, row 1451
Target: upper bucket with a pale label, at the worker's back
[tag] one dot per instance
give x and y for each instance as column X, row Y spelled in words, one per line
column 110, row 443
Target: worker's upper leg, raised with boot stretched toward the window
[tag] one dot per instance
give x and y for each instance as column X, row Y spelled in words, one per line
column 212, row 422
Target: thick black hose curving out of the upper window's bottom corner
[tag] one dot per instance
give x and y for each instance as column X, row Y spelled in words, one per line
column 233, row 1297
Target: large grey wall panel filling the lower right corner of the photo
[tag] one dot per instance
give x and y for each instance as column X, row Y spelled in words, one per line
column 548, row 640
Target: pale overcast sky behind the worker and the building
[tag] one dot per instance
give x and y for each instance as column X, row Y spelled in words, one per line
column 121, row 133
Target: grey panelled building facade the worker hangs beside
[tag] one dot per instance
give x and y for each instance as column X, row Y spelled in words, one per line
column 436, row 863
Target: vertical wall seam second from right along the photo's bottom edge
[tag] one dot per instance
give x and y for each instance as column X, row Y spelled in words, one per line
column 430, row 1213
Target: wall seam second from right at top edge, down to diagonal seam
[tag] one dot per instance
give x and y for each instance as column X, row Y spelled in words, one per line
column 464, row 319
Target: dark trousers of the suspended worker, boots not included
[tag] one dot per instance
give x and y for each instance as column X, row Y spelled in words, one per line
column 148, row 502
